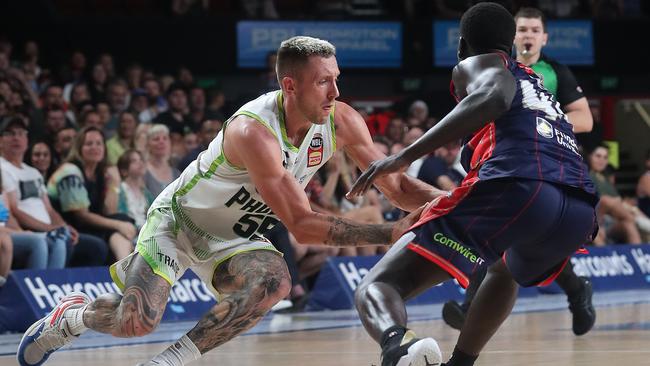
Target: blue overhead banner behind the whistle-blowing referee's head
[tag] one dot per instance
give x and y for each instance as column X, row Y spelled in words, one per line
column 569, row 42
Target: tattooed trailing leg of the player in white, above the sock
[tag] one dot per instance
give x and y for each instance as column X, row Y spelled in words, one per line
column 138, row 311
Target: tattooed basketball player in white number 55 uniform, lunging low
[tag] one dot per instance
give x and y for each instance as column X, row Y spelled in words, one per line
column 211, row 219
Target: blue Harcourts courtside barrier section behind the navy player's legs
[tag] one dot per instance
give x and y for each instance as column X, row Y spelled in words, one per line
column 610, row 268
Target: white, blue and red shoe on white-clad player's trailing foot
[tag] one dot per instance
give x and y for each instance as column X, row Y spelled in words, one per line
column 50, row 333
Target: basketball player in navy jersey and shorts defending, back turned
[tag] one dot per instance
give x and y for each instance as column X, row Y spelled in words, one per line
column 526, row 204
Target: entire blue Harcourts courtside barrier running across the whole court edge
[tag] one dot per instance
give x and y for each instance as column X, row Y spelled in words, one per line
column 29, row 295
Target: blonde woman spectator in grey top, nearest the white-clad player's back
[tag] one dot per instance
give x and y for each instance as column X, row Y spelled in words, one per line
column 160, row 172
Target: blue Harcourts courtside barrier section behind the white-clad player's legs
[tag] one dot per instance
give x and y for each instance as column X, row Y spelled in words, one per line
column 28, row 295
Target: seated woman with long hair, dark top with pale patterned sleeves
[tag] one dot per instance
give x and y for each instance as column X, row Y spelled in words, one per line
column 85, row 190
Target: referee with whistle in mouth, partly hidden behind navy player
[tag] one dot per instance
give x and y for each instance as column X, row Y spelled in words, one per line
column 530, row 38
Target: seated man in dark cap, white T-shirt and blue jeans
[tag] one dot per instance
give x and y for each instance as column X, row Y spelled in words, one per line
column 22, row 191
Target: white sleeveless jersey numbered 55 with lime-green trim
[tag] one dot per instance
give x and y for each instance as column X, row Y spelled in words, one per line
column 216, row 202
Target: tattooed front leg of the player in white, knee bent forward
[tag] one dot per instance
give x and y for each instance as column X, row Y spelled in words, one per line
column 253, row 282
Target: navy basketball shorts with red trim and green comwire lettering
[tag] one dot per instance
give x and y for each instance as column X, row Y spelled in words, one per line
column 534, row 226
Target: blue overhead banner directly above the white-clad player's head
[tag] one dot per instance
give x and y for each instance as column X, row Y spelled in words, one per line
column 358, row 44
